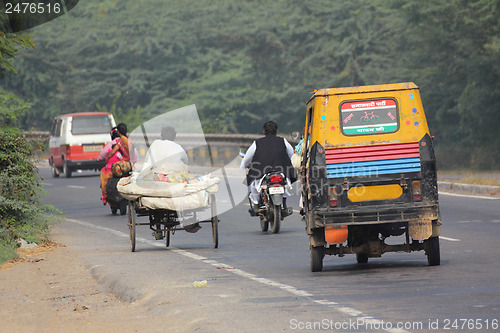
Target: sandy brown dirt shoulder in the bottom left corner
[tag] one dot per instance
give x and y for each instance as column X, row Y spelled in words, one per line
column 49, row 290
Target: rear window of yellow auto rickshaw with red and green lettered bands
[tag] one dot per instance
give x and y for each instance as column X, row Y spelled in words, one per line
column 369, row 116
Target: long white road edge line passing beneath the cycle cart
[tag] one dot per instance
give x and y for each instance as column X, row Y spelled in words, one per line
column 291, row 289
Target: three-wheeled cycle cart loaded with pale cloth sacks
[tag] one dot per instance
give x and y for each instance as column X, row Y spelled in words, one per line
column 167, row 214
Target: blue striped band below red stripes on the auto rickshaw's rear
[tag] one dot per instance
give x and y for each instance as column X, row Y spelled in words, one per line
column 373, row 168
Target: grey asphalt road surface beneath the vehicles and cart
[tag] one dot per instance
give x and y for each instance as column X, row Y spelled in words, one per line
column 261, row 282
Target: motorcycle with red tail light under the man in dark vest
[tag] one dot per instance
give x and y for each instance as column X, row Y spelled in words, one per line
column 271, row 208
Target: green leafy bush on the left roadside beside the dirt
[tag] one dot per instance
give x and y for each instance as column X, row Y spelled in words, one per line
column 21, row 213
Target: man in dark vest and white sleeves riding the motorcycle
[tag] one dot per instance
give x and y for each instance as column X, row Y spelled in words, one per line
column 270, row 153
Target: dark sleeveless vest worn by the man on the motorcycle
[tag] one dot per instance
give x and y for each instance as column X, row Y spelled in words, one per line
column 270, row 155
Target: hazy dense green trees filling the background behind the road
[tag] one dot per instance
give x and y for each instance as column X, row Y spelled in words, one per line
column 244, row 62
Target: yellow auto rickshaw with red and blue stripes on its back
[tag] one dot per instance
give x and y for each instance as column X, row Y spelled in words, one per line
column 368, row 172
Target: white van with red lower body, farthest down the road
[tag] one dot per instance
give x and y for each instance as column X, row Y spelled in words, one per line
column 76, row 140
